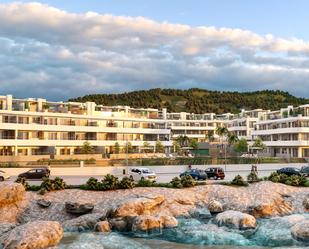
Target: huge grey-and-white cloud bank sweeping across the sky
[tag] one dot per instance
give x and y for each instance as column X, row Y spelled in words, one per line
column 47, row 52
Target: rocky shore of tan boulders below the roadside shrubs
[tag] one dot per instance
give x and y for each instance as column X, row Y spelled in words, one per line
column 29, row 220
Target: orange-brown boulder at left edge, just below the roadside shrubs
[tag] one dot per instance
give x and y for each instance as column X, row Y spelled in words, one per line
column 11, row 193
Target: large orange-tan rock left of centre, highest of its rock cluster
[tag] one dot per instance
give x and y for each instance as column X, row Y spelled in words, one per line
column 138, row 206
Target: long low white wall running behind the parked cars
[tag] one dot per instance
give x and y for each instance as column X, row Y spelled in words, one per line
column 171, row 169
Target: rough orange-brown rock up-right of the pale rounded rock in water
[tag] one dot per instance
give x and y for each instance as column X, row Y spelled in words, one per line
column 278, row 207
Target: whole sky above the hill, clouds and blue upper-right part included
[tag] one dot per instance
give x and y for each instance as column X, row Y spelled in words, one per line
column 62, row 49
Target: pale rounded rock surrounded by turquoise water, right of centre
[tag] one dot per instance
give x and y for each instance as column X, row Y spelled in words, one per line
column 236, row 219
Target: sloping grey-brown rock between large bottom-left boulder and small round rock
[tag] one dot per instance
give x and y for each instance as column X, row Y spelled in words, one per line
column 83, row 223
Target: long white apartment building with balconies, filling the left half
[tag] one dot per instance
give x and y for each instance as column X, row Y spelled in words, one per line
column 36, row 126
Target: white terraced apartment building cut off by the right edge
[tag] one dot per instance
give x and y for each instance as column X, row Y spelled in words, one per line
column 285, row 132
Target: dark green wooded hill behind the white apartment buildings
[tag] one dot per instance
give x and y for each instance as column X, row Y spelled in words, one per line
column 198, row 100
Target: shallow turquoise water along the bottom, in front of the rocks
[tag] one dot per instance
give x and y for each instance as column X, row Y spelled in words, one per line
column 195, row 234
